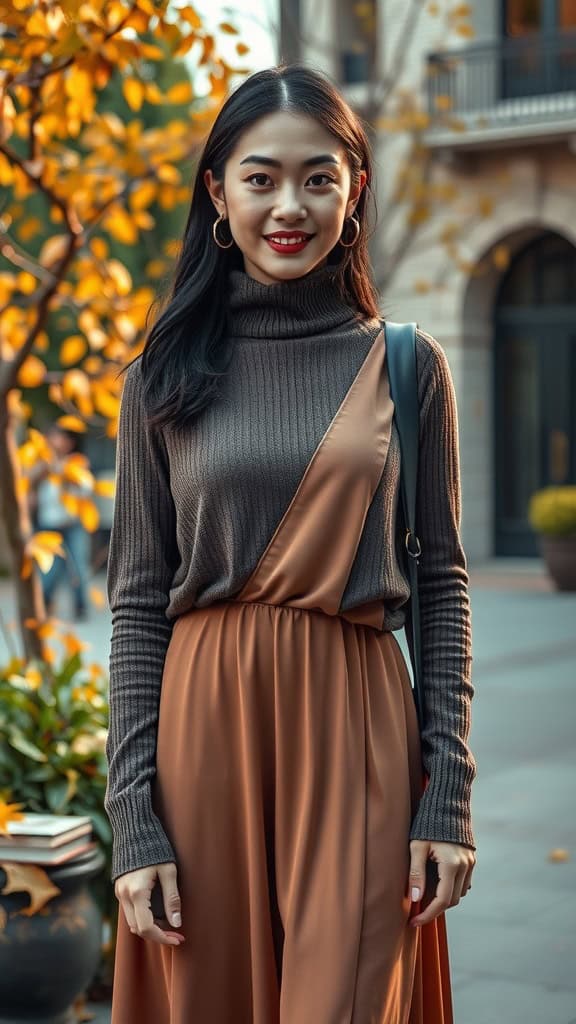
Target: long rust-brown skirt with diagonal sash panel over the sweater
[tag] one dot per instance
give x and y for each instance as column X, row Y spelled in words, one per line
column 289, row 773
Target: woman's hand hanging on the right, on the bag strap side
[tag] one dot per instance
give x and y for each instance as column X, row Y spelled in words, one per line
column 449, row 866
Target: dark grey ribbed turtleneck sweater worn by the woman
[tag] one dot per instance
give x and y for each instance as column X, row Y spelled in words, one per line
column 194, row 514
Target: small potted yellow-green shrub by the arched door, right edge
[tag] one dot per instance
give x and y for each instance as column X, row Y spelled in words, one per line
column 553, row 515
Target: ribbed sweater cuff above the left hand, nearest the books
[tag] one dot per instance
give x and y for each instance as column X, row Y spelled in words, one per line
column 139, row 838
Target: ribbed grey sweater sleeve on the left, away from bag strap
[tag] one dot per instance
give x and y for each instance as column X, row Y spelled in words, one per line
column 142, row 563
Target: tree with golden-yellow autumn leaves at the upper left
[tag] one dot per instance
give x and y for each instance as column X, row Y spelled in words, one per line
column 79, row 184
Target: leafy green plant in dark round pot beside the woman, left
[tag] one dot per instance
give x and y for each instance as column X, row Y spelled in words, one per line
column 54, row 721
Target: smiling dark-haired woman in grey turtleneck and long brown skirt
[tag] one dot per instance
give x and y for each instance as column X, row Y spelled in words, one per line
column 271, row 836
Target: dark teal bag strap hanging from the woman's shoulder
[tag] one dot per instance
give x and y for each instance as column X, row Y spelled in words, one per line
column 401, row 361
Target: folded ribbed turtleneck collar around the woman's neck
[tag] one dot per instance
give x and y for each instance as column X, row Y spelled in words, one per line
column 297, row 309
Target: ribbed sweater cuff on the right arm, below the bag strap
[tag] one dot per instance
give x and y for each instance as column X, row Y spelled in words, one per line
column 444, row 812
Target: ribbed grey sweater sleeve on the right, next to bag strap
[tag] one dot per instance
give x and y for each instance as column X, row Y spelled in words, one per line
column 444, row 810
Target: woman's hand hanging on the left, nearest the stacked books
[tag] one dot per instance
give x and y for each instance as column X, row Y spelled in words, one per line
column 135, row 892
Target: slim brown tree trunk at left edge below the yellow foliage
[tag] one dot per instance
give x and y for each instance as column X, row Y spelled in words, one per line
column 30, row 602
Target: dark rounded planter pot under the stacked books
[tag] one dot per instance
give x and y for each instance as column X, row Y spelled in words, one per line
column 48, row 960
